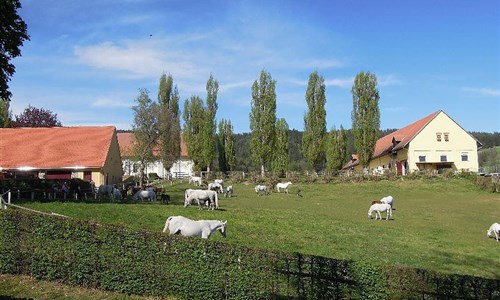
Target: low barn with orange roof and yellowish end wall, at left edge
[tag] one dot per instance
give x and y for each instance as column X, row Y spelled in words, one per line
column 89, row 153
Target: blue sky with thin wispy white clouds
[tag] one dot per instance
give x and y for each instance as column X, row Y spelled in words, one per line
column 87, row 60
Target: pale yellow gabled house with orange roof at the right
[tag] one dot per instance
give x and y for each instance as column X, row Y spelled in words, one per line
column 433, row 143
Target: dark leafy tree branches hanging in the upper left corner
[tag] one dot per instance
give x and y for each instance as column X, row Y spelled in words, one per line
column 13, row 33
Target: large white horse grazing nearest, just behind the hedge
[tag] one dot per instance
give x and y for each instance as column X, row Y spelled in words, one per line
column 188, row 227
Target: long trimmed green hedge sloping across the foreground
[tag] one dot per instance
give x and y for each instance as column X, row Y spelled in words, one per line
column 144, row 263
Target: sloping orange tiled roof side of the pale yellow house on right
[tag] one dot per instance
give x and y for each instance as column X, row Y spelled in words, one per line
column 400, row 138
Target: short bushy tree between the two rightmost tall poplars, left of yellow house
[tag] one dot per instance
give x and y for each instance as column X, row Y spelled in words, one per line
column 337, row 149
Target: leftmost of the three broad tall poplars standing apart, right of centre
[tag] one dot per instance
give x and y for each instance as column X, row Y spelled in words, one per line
column 263, row 119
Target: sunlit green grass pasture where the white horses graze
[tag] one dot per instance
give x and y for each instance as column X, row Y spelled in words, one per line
column 439, row 224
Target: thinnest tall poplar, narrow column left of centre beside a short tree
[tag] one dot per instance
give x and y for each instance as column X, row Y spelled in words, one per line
column 209, row 125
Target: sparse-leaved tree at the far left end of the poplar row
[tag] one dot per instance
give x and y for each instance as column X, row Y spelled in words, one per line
column 146, row 130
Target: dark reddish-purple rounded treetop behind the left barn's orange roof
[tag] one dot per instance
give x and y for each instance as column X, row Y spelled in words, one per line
column 36, row 117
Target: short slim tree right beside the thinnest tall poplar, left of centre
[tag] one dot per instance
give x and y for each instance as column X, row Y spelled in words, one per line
column 227, row 156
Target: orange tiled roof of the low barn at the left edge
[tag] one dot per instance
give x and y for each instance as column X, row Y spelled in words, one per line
column 55, row 147
